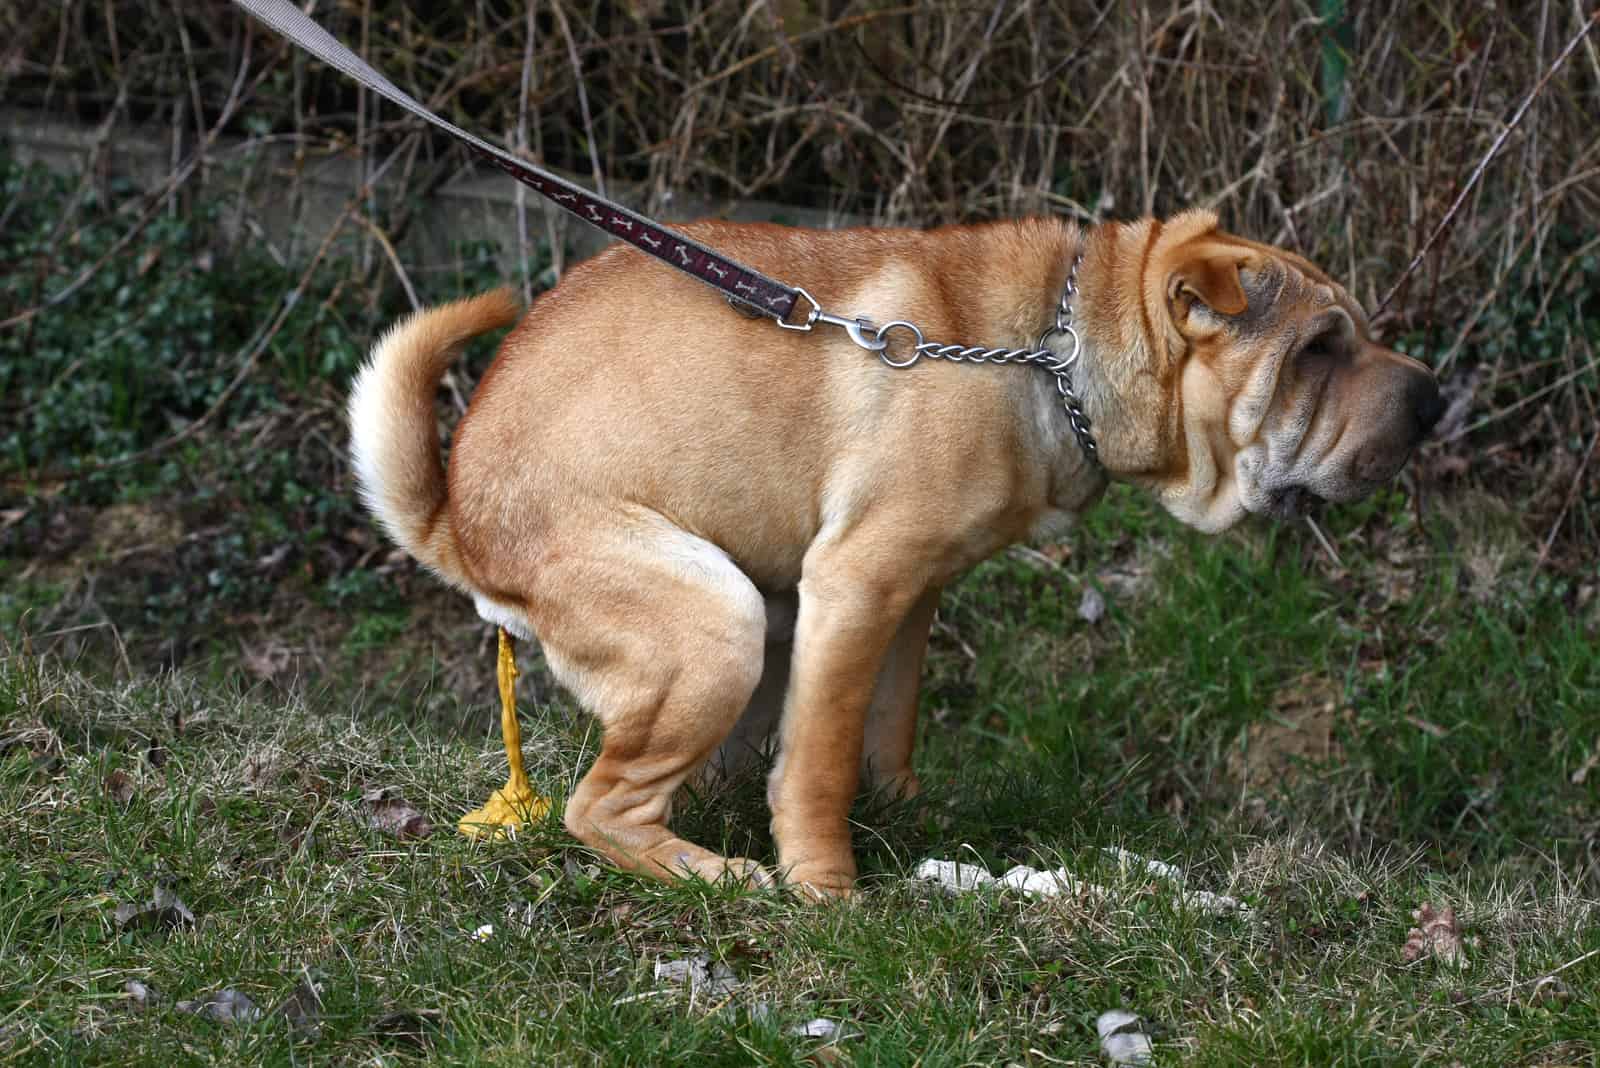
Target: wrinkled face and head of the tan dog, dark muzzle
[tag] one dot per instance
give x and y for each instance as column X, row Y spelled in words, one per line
column 1284, row 394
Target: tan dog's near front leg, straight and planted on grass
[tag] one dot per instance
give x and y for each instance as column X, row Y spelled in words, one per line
column 854, row 600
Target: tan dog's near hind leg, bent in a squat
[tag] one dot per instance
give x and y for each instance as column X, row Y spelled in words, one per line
column 660, row 636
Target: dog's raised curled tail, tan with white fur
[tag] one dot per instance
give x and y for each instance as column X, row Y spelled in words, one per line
column 394, row 434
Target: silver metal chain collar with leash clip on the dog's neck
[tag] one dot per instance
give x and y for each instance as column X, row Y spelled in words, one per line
column 874, row 338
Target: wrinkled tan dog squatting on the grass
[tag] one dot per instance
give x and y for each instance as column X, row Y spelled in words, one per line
column 646, row 479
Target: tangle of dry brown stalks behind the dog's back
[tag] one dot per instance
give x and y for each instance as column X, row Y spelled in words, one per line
column 945, row 111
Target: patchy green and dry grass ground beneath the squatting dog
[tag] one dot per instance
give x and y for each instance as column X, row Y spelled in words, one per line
column 1332, row 744
